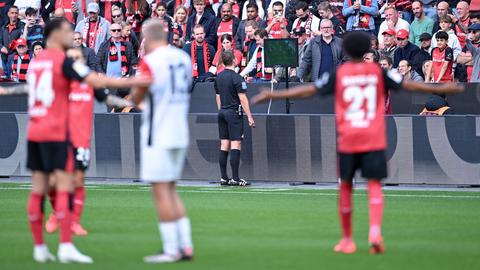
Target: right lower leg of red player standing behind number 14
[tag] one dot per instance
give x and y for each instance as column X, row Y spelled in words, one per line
column 78, row 202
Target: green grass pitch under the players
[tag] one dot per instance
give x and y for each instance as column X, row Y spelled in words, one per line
column 249, row 229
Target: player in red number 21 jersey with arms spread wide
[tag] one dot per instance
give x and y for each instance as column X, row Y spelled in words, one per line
column 359, row 90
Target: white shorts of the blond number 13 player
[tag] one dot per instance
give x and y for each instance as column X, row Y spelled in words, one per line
column 160, row 165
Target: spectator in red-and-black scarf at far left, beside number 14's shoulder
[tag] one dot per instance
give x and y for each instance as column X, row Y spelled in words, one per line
column 18, row 61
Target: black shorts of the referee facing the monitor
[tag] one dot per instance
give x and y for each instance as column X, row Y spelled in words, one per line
column 230, row 125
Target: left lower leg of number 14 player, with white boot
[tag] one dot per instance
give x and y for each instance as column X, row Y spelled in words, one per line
column 35, row 216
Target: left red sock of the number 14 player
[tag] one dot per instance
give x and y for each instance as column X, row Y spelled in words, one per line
column 35, row 217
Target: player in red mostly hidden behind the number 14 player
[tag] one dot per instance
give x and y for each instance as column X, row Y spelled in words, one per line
column 80, row 121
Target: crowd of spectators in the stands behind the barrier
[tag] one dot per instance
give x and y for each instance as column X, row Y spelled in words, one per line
column 427, row 40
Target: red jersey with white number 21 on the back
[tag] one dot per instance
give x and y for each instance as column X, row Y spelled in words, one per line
column 360, row 90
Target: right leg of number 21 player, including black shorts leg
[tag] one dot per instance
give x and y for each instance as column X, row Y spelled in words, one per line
column 374, row 168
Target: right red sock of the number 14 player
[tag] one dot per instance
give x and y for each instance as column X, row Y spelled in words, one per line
column 64, row 217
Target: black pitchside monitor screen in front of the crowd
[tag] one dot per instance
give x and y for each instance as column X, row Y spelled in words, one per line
column 281, row 52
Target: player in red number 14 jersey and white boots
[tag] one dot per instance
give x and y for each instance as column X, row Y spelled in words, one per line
column 49, row 150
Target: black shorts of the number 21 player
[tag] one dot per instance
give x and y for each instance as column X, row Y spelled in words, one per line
column 373, row 165
